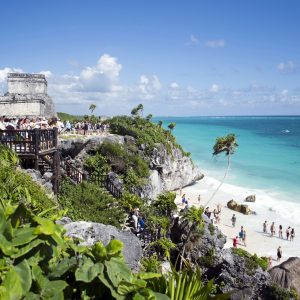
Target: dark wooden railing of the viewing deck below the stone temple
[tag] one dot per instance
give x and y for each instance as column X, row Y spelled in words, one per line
column 29, row 141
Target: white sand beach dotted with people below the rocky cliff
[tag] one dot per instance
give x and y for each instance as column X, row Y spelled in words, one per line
column 256, row 242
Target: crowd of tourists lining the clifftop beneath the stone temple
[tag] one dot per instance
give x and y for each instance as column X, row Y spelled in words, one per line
column 80, row 127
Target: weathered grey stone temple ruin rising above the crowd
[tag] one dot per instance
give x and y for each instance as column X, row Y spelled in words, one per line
column 26, row 96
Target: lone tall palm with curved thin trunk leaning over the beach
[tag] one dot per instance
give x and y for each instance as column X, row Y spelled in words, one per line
column 225, row 144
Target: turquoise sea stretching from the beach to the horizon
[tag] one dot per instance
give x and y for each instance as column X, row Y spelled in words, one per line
column 268, row 156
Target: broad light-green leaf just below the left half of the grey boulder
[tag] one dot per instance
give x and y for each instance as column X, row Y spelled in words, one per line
column 88, row 271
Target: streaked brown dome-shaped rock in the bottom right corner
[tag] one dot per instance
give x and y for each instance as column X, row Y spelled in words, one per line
column 287, row 274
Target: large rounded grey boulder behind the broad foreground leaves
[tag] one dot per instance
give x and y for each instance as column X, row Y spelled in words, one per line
column 90, row 233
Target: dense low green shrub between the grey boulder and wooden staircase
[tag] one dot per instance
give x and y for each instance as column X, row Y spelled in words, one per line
column 89, row 202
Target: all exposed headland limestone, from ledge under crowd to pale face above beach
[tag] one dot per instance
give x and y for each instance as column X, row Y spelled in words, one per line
column 168, row 171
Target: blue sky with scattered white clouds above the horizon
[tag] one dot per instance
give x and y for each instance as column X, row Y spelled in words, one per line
column 175, row 57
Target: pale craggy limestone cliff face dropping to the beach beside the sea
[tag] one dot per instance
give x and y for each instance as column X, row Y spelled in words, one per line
column 169, row 171
